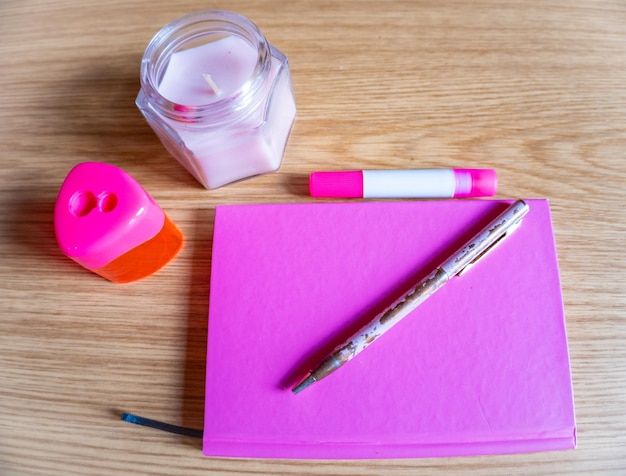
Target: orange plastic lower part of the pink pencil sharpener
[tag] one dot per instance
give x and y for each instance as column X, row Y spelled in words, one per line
column 146, row 258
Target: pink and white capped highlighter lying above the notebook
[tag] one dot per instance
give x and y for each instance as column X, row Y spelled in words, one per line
column 425, row 183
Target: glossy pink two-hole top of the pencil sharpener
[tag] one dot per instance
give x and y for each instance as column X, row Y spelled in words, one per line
column 102, row 213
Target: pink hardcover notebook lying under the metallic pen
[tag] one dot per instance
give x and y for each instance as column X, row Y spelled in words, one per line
column 481, row 367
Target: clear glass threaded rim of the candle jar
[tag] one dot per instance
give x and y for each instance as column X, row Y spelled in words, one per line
column 191, row 27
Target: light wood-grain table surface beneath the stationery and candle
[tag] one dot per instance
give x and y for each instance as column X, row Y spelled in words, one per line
column 534, row 89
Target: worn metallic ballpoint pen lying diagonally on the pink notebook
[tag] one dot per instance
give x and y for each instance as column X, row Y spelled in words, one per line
column 458, row 263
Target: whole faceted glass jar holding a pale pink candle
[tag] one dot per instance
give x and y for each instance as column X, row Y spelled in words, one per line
column 218, row 95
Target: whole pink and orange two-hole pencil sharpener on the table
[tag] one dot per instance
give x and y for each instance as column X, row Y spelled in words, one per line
column 102, row 214
